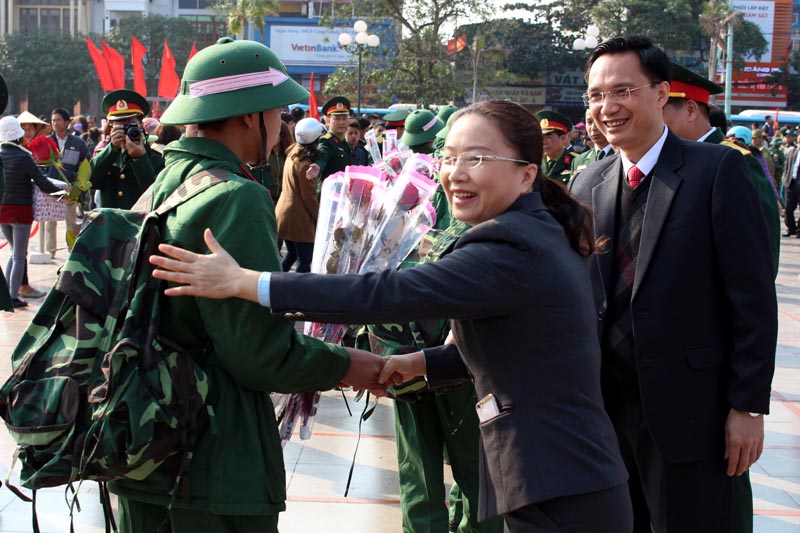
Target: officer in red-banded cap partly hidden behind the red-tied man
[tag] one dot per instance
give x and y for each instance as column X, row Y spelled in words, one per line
column 686, row 114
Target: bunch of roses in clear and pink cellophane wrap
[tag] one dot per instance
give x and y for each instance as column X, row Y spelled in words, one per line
column 369, row 220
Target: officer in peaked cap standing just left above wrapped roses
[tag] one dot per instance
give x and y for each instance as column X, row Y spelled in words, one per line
column 334, row 153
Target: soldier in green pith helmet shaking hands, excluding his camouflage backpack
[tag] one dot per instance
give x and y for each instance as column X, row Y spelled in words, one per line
column 233, row 91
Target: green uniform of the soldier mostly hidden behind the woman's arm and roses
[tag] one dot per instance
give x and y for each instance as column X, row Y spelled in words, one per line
column 431, row 425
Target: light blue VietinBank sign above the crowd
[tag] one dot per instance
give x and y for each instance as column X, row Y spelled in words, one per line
column 308, row 45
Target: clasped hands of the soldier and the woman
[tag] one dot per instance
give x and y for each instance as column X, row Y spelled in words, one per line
column 375, row 373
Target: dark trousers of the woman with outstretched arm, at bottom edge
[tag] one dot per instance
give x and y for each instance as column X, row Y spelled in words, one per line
column 605, row 511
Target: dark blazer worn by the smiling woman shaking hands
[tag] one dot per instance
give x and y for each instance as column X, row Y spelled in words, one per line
column 521, row 302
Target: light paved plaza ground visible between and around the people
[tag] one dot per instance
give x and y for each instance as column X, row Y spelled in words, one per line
column 317, row 469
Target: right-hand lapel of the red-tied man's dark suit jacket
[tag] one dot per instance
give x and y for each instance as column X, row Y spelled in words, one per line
column 662, row 192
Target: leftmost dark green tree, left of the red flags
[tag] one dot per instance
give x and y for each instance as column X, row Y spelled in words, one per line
column 55, row 70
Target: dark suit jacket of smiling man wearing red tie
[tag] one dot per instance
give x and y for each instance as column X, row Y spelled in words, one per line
column 703, row 306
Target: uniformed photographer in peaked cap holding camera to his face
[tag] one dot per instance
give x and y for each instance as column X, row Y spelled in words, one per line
column 127, row 166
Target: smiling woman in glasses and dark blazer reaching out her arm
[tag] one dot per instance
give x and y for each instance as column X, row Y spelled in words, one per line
column 517, row 289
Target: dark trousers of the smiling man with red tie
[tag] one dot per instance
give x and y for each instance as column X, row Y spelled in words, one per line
column 673, row 497
